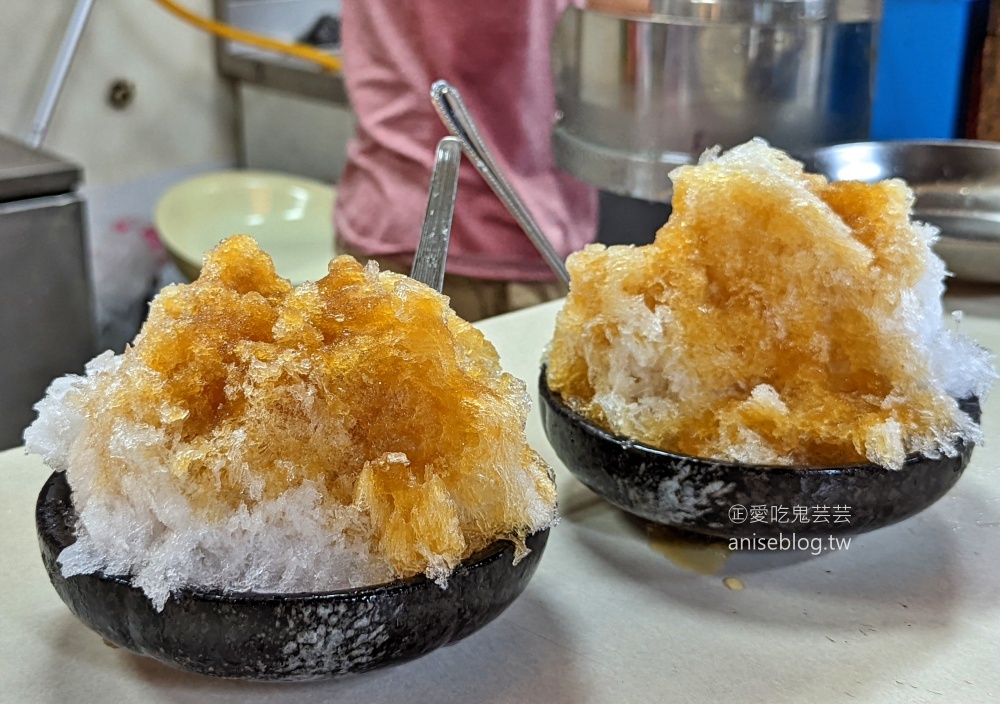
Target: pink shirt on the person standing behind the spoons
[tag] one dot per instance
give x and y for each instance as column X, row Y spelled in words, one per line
column 496, row 53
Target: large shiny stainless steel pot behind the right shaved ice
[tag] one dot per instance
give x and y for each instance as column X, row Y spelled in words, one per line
column 641, row 91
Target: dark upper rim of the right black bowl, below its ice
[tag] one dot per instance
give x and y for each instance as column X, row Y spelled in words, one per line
column 592, row 428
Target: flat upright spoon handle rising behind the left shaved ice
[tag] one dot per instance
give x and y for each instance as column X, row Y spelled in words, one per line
column 432, row 252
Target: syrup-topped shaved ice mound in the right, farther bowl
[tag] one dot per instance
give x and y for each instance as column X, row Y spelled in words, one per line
column 777, row 318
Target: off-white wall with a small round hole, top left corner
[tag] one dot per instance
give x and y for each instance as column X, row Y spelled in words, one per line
column 182, row 113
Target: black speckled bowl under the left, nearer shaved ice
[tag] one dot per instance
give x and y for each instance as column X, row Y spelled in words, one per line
column 284, row 636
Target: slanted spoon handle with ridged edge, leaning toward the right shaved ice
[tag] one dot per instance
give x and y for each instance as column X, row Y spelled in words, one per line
column 459, row 122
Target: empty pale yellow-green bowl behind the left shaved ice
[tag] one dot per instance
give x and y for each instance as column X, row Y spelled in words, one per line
column 290, row 217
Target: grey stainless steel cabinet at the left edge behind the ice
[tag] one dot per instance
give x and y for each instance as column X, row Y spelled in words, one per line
column 46, row 315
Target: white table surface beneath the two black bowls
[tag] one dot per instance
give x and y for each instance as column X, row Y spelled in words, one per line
column 909, row 613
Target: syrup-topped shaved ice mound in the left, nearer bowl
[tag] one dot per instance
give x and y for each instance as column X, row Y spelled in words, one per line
column 260, row 437
